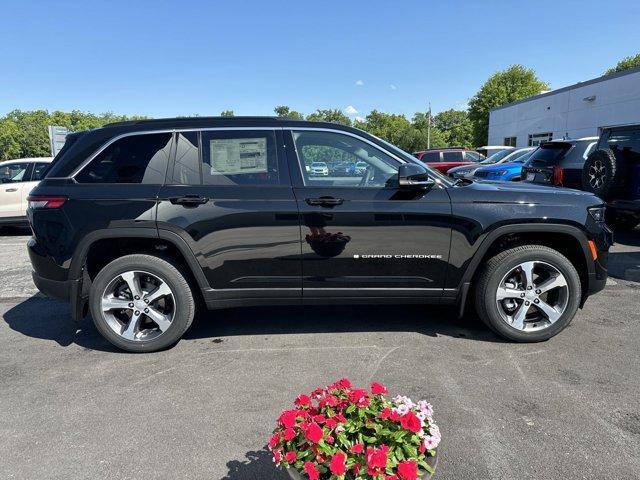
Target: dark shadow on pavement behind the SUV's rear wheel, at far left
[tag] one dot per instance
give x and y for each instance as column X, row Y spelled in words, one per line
column 41, row 317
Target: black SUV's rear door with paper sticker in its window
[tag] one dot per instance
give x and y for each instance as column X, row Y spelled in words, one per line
column 229, row 196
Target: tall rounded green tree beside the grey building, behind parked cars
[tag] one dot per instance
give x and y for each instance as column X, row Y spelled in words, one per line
column 514, row 83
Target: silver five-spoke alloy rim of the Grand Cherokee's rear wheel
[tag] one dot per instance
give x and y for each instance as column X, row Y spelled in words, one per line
column 138, row 306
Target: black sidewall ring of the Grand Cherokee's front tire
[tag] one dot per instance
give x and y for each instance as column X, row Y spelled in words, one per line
column 509, row 263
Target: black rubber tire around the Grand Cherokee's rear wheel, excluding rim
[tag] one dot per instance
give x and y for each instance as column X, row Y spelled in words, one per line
column 184, row 307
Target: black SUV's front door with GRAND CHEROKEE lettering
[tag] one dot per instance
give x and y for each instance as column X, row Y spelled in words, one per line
column 361, row 235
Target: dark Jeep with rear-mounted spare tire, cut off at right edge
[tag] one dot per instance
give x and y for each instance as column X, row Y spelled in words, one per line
column 612, row 171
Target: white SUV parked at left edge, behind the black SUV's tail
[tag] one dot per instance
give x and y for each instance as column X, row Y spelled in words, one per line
column 17, row 179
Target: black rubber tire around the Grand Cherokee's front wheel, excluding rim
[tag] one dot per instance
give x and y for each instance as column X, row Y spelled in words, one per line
column 499, row 266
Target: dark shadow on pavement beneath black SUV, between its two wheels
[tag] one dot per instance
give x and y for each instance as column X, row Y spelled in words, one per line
column 427, row 320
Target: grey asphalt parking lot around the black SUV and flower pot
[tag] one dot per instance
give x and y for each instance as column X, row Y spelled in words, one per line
column 73, row 407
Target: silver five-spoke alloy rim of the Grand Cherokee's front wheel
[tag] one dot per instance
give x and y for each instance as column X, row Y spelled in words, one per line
column 532, row 296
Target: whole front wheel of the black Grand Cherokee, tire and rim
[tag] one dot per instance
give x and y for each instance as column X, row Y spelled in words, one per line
column 528, row 293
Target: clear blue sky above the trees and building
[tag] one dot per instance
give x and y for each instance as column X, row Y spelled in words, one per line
column 167, row 58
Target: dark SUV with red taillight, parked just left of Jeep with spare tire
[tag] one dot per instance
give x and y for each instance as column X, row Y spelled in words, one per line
column 559, row 162
